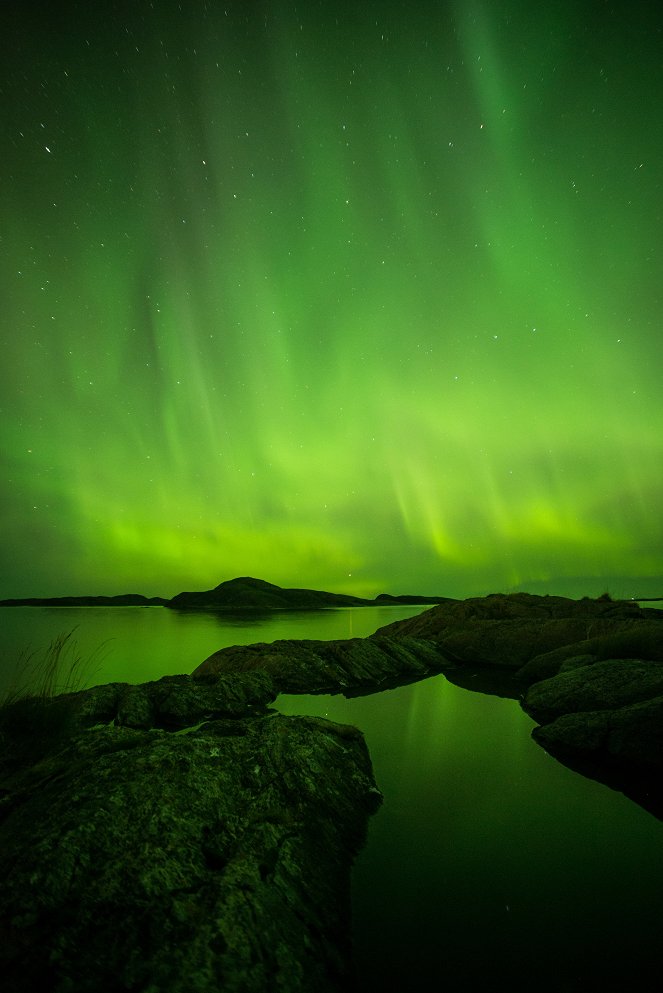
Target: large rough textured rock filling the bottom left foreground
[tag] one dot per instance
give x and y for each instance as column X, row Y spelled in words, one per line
column 185, row 863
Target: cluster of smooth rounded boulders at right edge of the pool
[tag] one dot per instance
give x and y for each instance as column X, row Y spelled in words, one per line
column 601, row 706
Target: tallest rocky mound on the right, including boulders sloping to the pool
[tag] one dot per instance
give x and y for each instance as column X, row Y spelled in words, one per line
column 594, row 669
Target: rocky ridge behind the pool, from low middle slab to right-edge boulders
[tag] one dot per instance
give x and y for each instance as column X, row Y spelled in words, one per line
column 589, row 672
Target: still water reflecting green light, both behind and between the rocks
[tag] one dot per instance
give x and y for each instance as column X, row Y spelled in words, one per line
column 489, row 865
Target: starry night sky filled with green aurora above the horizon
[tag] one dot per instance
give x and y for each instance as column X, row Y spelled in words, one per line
column 352, row 296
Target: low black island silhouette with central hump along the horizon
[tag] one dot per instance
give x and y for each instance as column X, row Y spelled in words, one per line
column 233, row 594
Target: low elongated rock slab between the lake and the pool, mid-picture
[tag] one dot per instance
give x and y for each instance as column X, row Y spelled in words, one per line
column 350, row 666
